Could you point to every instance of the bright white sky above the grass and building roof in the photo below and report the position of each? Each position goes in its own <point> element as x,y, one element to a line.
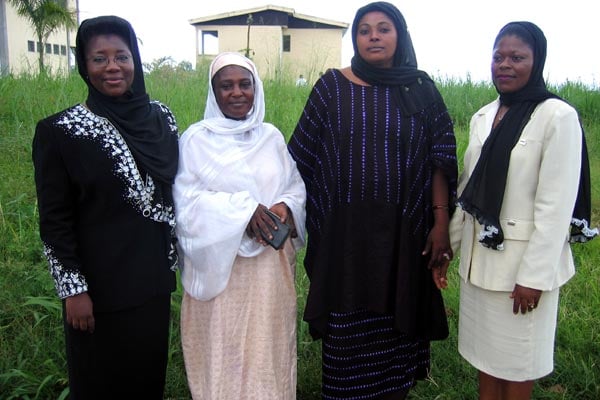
<point>452,38</point>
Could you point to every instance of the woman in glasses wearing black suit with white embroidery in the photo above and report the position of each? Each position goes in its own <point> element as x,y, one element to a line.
<point>103,173</point>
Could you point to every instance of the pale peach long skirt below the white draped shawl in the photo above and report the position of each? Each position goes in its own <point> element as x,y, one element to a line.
<point>242,344</point>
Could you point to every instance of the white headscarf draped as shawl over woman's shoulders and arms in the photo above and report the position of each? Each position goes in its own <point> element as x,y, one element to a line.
<point>226,168</point>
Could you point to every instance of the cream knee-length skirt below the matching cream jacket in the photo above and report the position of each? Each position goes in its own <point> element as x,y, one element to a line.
<point>504,345</point>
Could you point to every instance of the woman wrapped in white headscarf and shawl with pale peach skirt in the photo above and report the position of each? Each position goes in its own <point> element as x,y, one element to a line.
<point>238,316</point>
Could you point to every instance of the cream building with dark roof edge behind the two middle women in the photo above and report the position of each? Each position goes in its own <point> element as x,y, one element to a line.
<point>282,43</point>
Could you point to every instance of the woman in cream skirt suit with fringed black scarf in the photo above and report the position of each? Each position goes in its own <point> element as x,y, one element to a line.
<point>524,194</point>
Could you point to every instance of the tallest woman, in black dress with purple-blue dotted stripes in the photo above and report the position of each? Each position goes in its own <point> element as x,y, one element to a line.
<point>375,146</point>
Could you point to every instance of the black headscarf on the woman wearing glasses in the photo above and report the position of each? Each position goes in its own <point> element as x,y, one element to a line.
<point>142,126</point>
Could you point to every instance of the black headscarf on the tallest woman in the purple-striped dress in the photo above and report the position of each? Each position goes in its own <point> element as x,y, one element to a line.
<point>413,89</point>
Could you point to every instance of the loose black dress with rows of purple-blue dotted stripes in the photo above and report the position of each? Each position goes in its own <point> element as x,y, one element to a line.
<point>368,172</point>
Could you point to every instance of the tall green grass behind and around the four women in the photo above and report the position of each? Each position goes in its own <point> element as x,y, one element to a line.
<point>32,361</point>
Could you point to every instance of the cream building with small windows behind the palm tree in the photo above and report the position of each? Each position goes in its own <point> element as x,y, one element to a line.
<point>19,45</point>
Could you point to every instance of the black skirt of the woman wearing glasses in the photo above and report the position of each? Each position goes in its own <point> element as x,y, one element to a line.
<point>125,357</point>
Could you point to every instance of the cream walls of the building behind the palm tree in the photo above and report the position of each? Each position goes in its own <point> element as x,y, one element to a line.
<point>21,60</point>
